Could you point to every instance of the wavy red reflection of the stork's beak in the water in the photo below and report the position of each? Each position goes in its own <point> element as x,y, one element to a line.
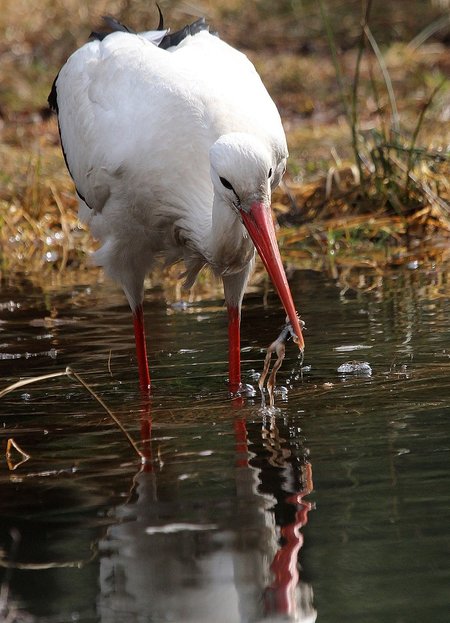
<point>280,595</point>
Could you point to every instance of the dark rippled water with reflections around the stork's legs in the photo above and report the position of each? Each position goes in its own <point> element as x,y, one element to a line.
<point>224,525</point>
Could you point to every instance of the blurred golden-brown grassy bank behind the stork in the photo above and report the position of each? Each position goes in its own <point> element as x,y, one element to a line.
<point>366,111</point>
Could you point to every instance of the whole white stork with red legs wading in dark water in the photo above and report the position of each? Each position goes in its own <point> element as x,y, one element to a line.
<point>174,146</point>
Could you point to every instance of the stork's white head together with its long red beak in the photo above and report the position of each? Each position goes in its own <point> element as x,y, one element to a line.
<point>244,172</point>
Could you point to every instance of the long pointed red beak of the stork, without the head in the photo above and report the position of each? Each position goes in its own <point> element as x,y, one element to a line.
<point>259,224</point>
